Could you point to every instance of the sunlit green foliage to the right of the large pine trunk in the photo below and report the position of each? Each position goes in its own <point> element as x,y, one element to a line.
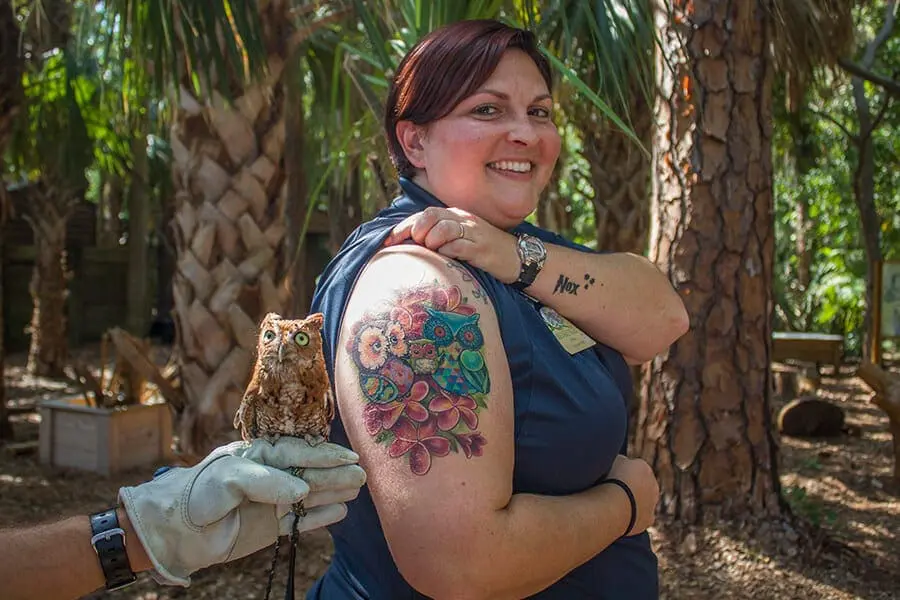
<point>815,158</point>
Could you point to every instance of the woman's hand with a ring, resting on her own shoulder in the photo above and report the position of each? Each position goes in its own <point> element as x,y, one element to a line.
<point>461,235</point>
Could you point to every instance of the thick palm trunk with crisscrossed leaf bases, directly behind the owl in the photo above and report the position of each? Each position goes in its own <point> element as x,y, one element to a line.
<point>228,175</point>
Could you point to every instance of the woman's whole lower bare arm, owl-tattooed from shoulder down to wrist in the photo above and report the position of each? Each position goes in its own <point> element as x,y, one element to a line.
<point>453,525</point>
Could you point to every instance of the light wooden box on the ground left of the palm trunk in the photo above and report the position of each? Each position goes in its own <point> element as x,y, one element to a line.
<point>104,440</point>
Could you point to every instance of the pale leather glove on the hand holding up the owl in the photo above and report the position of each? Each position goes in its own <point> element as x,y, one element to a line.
<point>237,501</point>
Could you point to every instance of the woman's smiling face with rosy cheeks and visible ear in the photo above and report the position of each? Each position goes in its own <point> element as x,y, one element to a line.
<point>494,153</point>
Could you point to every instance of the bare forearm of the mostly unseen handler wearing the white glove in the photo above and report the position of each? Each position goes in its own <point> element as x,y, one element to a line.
<point>57,561</point>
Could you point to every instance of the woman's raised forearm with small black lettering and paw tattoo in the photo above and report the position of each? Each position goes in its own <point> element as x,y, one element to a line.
<point>619,299</point>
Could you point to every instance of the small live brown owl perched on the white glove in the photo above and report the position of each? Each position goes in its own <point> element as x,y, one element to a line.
<point>289,393</point>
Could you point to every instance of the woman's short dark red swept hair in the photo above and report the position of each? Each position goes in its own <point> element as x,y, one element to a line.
<point>444,68</point>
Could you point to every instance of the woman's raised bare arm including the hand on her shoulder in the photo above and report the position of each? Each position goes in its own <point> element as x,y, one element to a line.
<point>619,299</point>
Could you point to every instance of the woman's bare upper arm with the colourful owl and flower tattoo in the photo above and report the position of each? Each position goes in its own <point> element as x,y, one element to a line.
<point>421,375</point>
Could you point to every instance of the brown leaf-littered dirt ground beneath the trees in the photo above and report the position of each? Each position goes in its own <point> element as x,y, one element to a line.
<point>843,541</point>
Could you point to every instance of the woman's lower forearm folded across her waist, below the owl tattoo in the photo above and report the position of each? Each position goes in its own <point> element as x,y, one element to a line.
<point>523,548</point>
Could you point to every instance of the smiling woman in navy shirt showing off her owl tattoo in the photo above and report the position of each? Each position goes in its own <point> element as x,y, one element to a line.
<point>468,380</point>
